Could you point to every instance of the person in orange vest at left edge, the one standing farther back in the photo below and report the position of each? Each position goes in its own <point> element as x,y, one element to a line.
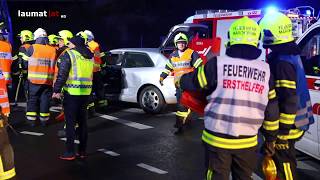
<point>6,60</point>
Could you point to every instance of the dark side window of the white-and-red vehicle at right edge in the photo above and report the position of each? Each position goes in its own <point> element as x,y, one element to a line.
<point>310,54</point>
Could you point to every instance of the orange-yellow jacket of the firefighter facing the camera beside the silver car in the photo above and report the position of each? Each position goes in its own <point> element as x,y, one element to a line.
<point>181,65</point>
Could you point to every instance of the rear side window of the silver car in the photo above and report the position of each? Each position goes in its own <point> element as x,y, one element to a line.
<point>134,60</point>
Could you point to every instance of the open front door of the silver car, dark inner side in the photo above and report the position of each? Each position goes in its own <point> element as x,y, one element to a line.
<point>112,73</point>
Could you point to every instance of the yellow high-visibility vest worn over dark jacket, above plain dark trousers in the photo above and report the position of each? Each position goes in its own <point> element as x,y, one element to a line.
<point>79,81</point>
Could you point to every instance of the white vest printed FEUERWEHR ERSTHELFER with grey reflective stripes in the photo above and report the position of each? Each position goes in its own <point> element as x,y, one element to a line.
<point>237,106</point>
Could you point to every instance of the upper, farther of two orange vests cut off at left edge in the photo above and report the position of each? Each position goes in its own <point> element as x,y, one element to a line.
<point>6,60</point>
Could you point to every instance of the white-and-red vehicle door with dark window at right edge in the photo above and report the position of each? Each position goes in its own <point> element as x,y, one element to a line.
<point>310,57</point>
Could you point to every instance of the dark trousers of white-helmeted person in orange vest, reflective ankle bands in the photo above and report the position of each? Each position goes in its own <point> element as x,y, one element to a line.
<point>38,99</point>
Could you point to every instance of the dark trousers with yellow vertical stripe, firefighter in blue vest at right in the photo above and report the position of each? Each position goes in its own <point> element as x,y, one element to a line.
<point>285,160</point>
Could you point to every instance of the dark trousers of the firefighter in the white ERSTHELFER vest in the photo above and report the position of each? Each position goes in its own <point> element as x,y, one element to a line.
<point>220,162</point>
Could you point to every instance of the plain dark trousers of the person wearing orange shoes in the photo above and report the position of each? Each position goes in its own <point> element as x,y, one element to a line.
<point>75,111</point>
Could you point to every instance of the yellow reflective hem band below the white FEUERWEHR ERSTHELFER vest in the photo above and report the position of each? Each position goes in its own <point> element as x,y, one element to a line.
<point>229,143</point>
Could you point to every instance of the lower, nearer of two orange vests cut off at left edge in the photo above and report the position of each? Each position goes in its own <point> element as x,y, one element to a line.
<point>4,101</point>
